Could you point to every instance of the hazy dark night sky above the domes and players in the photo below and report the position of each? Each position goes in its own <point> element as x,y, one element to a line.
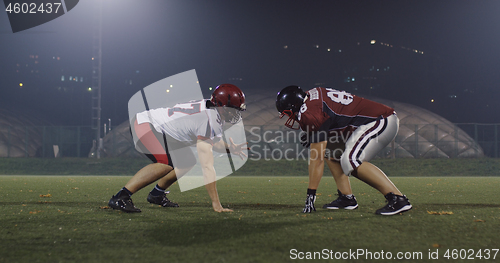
<point>261,46</point>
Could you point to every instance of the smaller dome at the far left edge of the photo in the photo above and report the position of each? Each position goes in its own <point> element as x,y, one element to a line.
<point>20,134</point>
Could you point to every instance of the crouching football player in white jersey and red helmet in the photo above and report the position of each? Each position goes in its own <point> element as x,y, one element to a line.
<point>203,129</point>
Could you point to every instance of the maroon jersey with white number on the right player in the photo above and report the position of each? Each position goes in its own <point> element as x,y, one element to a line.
<point>328,109</point>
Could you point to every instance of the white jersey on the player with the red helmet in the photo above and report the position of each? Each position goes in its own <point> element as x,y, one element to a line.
<point>185,122</point>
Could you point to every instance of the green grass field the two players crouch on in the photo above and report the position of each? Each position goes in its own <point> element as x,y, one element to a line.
<point>64,219</point>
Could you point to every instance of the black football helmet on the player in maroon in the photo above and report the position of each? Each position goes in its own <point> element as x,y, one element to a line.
<point>288,102</point>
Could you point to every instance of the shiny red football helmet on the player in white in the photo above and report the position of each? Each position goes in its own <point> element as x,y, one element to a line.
<point>230,101</point>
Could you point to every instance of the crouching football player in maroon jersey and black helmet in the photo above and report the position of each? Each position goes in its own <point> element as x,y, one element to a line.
<point>362,127</point>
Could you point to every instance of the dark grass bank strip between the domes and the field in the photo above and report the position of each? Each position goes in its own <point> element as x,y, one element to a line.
<point>123,166</point>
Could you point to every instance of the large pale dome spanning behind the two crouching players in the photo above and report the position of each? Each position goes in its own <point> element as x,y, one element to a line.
<point>422,134</point>
